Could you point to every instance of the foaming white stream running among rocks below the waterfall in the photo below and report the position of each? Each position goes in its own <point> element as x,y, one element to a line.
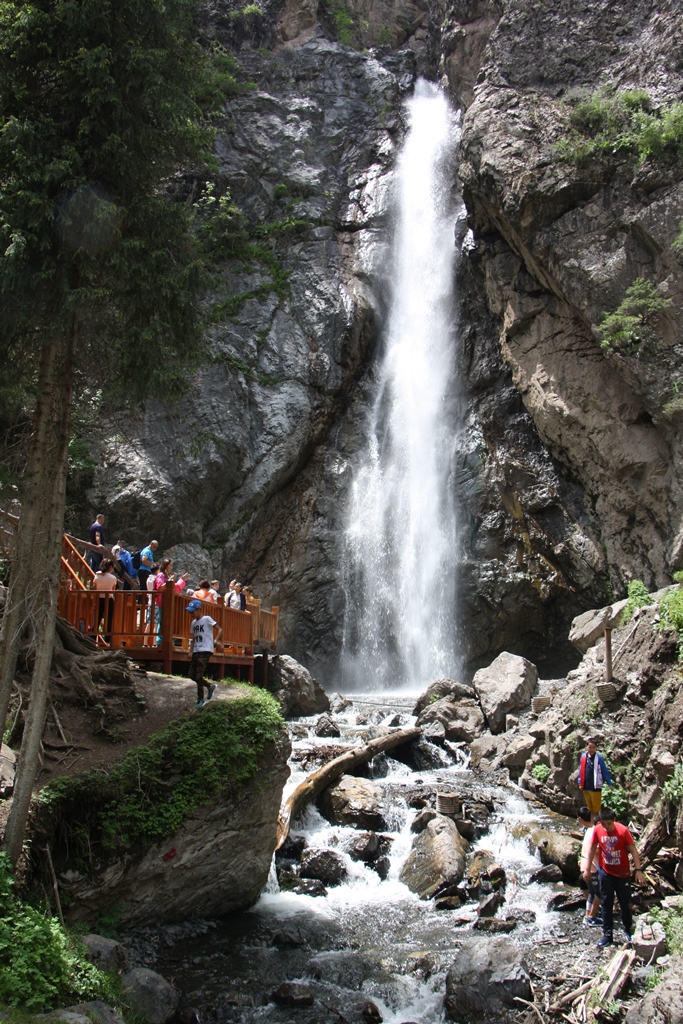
<point>370,938</point>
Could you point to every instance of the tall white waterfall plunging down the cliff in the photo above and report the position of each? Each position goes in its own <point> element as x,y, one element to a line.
<point>400,560</point>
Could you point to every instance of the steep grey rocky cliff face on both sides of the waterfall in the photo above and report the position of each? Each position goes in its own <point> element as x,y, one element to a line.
<point>569,464</point>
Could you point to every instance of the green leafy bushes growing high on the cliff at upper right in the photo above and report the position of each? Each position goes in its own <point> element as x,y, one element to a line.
<point>623,126</point>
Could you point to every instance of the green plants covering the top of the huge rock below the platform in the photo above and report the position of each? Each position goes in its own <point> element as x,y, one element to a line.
<point>146,797</point>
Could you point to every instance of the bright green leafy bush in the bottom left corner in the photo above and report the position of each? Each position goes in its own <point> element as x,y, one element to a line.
<point>41,965</point>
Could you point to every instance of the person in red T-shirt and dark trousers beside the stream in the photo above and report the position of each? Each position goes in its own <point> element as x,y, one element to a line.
<point>614,843</point>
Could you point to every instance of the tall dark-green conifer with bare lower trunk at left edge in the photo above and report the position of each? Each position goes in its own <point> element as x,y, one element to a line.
<point>101,103</point>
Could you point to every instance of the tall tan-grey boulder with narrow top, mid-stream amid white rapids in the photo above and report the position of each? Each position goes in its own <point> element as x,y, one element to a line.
<point>438,859</point>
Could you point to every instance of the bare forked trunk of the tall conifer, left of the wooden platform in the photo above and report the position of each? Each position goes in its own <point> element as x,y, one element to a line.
<point>38,565</point>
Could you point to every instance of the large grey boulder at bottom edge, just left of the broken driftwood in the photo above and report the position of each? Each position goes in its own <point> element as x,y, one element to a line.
<point>485,979</point>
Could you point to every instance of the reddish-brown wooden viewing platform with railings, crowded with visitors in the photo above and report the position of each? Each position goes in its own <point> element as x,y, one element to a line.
<point>120,620</point>
